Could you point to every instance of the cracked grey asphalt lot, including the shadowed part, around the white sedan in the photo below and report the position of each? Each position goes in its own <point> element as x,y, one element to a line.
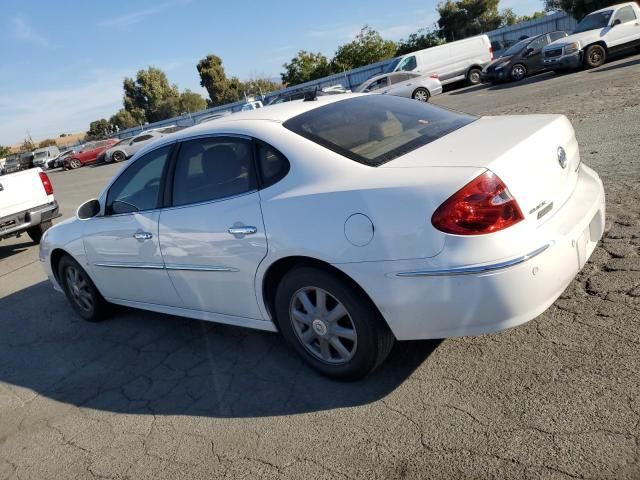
<point>153,396</point>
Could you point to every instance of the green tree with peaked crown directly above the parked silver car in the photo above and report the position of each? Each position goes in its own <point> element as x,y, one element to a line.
<point>368,47</point>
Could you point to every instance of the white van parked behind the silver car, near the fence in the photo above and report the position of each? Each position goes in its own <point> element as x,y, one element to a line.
<point>452,62</point>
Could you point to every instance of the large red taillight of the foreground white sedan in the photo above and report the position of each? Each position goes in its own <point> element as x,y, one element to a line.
<point>483,205</point>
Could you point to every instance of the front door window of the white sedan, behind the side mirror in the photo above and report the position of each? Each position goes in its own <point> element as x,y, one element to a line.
<point>138,188</point>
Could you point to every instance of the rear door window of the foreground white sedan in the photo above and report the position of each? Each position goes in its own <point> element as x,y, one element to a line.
<point>213,168</point>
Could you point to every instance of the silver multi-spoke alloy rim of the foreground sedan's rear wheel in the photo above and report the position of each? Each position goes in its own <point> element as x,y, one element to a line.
<point>323,325</point>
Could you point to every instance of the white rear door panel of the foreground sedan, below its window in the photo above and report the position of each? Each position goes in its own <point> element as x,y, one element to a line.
<point>212,269</point>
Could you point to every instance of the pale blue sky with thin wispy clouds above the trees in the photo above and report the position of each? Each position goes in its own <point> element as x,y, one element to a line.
<point>63,62</point>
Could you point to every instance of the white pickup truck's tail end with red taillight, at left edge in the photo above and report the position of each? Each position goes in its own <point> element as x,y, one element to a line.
<point>26,204</point>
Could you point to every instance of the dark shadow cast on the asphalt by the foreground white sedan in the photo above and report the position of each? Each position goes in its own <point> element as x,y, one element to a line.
<point>148,363</point>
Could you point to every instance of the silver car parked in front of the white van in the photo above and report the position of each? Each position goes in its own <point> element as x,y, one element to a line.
<point>404,84</point>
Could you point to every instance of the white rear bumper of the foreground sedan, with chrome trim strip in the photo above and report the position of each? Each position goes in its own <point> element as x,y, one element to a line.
<point>449,301</point>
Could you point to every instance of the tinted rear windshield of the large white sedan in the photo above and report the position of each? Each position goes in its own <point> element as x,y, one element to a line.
<point>374,129</point>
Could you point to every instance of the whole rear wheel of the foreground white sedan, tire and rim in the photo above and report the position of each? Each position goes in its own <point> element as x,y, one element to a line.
<point>359,328</point>
